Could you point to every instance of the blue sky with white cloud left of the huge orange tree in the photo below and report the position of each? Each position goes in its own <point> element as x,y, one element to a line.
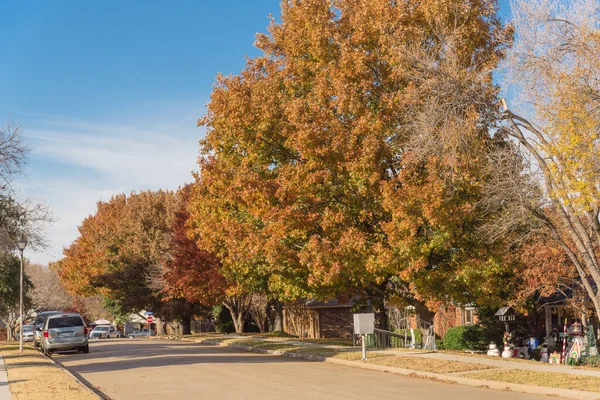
<point>108,93</point>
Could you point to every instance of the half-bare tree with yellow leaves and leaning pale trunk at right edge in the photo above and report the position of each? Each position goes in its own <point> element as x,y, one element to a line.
<point>547,177</point>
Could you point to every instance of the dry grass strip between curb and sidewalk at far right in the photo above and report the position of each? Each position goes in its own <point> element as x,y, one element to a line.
<point>547,379</point>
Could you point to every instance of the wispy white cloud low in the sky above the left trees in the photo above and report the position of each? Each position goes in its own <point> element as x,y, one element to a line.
<point>93,161</point>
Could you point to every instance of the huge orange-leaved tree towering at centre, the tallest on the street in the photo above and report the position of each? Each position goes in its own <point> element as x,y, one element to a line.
<point>347,158</point>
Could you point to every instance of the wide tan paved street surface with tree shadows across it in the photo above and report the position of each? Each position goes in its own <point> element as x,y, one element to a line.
<point>160,369</point>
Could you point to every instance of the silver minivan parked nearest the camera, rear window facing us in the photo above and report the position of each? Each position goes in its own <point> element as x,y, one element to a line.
<point>64,332</point>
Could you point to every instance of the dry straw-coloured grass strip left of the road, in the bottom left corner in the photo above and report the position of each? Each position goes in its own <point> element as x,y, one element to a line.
<point>31,376</point>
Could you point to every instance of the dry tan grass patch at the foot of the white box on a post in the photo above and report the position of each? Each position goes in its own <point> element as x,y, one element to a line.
<point>429,365</point>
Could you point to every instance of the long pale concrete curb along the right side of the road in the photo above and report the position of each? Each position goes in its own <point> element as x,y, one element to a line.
<point>478,383</point>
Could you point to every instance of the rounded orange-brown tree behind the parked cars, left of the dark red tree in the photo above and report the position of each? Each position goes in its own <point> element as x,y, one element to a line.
<point>119,250</point>
